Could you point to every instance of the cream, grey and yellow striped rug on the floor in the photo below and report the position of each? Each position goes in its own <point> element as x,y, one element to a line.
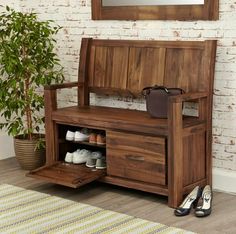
<point>26,211</point>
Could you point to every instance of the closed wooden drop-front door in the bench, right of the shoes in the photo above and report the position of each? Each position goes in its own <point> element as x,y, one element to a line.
<point>136,157</point>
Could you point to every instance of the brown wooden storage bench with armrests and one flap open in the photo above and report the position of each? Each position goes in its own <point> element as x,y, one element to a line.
<point>163,156</point>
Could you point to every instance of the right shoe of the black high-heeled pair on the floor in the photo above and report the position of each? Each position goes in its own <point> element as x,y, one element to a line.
<point>205,208</point>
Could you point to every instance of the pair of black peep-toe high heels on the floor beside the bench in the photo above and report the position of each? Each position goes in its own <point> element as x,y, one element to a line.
<point>192,199</point>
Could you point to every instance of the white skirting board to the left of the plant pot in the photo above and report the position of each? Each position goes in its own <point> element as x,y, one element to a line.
<point>6,147</point>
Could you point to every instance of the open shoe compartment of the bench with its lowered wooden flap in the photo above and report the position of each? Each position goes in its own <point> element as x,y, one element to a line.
<point>69,174</point>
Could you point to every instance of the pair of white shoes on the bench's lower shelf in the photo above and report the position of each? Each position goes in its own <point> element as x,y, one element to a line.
<point>78,157</point>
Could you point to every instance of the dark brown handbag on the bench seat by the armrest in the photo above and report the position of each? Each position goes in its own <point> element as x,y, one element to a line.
<point>157,99</point>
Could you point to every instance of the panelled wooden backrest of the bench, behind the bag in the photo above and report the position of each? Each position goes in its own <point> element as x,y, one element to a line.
<point>125,67</point>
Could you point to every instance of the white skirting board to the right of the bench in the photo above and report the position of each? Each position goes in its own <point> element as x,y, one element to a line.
<point>224,180</point>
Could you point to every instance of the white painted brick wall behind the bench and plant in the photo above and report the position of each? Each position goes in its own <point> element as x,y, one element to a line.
<point>75,18</point>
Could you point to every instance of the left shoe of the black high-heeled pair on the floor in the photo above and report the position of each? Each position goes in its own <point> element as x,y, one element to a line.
<point>189,202</point>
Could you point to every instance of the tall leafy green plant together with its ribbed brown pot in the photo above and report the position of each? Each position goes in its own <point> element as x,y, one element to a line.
<point>27,63</point>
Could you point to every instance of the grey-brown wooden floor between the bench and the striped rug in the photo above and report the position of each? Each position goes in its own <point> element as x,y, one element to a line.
<point>140,204</point>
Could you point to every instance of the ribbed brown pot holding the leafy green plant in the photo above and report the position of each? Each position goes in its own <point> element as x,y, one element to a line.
<point>27,156</point>
